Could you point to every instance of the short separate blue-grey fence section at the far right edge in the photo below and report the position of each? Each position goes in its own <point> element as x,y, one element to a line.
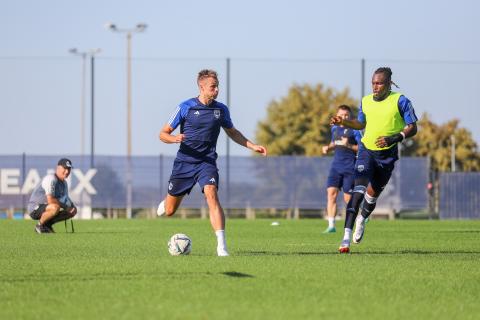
<point>459,196</point>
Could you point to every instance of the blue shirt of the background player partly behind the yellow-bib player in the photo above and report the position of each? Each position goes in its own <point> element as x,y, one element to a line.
<point>344,158</point>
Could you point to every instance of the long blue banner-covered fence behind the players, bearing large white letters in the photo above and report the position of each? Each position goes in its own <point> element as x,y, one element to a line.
<point>253,182</point>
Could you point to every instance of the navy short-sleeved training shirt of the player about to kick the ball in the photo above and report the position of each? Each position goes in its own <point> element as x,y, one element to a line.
<point>201,126</point>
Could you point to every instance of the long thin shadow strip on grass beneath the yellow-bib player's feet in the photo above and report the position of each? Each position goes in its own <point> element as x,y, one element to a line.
<point>398,252</point>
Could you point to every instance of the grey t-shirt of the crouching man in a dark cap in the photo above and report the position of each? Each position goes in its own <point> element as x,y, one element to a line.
<point>50,185</point>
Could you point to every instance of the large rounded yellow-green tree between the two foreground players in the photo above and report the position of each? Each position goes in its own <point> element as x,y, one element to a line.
<point>298,124</point>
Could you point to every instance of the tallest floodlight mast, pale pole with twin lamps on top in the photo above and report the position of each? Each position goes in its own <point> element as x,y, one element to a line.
<point>140,27</point>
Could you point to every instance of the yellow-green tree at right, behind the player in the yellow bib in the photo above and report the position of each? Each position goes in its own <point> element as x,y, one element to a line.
<point>435,141</point>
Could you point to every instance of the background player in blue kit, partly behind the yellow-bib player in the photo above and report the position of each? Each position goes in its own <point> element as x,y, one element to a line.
<point>341,176</point>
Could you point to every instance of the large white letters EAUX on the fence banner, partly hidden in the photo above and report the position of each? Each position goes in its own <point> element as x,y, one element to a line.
<point>10,181</point>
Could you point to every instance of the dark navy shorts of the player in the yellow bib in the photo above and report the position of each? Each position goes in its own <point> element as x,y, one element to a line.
<point>376,166</point>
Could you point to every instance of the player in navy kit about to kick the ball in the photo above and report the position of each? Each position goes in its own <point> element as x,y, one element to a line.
<point>200,120</point>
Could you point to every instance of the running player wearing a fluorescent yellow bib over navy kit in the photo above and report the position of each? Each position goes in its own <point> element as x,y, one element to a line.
<point>388,118</point>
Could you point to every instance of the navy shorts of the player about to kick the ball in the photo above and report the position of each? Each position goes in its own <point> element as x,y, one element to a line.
<point>185,175</point>
